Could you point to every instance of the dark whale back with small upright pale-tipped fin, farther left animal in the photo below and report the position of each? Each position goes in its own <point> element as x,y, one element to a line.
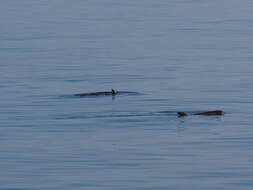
<point>112,93</point>
